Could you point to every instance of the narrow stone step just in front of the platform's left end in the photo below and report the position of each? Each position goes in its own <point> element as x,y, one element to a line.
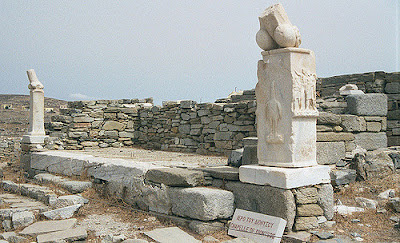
<point>62,182</point>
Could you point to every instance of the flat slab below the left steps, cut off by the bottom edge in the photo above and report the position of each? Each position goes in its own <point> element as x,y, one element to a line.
<point>66,235</point>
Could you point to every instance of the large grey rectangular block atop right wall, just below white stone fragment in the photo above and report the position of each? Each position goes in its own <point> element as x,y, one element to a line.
<point>367,104</point>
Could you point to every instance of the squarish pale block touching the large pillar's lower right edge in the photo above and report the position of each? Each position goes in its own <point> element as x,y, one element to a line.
<point>330,152</point>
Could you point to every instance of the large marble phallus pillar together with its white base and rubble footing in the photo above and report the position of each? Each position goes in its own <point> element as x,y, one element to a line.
<point>286,126</point>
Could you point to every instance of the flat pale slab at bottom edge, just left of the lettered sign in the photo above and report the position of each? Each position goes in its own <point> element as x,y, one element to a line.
<point>169,235</point>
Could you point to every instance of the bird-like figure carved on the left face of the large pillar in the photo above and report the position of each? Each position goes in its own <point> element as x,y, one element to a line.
<point>274,115</point>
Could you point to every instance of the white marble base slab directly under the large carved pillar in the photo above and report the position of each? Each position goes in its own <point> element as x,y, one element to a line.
<point>285,178</point>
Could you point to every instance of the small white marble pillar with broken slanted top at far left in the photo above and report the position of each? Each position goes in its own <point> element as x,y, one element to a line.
<point>36,132</point>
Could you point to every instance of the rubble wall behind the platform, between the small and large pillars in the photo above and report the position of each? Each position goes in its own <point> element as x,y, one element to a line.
<point>177,125</point>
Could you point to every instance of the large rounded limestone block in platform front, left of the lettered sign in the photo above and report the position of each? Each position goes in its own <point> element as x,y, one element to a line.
<point>201,203</point>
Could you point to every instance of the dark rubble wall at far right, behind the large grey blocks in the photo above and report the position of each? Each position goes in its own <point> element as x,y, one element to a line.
<point>373,82</point>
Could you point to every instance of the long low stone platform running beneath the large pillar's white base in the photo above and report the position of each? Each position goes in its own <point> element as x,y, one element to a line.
<point>153,180</point>
